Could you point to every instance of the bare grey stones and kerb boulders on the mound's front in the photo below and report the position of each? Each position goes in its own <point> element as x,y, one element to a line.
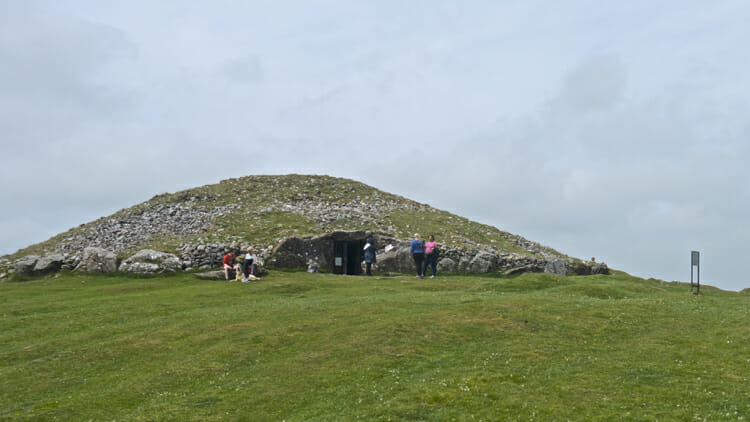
<point>129,229</point>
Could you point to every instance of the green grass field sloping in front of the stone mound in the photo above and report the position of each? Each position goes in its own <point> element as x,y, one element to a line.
<point>301,347</point>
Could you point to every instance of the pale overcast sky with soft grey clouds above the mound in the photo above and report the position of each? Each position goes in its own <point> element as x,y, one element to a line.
<point>619,130</point>
